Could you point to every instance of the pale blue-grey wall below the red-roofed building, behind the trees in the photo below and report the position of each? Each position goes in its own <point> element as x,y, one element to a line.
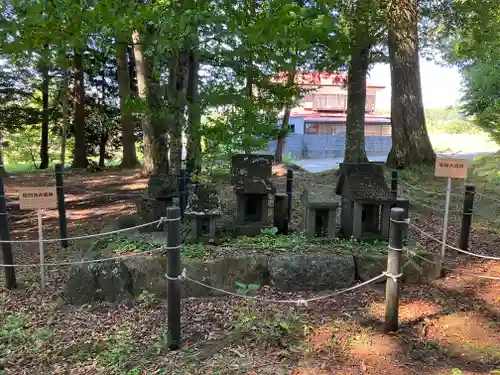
<point>319,146</point>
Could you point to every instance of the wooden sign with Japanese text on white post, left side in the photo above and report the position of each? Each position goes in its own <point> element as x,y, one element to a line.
<point>38,198</point>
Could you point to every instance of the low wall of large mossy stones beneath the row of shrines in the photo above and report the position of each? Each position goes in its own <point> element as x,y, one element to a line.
<point>288,272</point>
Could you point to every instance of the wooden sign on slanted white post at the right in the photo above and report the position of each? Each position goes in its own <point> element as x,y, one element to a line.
<point>449,168</point>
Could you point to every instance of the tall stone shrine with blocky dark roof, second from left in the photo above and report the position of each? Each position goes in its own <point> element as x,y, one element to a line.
<point>251,177</point>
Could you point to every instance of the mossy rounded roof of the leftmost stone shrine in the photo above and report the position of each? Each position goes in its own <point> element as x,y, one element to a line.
<point>203,200</point>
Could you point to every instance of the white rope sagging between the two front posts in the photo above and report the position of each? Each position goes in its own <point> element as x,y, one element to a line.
<point>299,302</point>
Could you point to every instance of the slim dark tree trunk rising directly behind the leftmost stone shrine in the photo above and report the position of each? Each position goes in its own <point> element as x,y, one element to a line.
<point>193,162</point>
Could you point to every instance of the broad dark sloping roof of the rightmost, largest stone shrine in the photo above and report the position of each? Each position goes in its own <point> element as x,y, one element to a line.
<point>363,182</point>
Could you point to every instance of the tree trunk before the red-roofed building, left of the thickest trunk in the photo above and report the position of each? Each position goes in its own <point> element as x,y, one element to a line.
<point>356,100</point>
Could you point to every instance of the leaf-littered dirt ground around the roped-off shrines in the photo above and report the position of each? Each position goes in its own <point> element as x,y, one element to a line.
<point>449,324</point>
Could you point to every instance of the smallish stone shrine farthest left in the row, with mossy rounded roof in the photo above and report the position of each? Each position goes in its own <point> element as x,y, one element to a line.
<point>203,208</point>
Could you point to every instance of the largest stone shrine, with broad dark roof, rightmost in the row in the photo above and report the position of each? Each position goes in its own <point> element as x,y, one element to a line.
<point>366,201</point>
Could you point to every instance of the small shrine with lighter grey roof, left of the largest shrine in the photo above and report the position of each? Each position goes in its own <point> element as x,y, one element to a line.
<point>320,207</point>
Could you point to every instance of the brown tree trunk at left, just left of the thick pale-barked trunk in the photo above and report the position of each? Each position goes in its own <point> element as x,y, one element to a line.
<point>129,157</point>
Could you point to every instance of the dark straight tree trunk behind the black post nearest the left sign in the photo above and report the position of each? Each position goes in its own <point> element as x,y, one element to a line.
<point>80,156</point>
